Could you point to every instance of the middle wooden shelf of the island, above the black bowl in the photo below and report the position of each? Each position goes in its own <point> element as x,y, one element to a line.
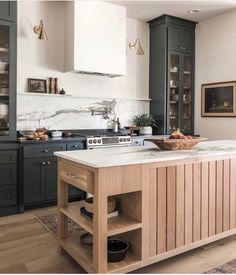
<point>116,225</point>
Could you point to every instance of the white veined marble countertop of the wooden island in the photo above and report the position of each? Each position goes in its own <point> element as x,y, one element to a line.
<point>116,156</point>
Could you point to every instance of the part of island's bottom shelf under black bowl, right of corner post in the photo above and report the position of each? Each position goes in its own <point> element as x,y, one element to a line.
<point>130,261</point>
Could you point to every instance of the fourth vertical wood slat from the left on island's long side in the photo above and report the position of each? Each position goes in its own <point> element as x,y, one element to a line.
<point>179,205</point>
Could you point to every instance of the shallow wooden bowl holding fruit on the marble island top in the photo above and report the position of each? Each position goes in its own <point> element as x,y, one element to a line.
<point>175,144</point>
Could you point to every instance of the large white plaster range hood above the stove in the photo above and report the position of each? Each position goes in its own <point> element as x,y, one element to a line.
<point>95,38</point>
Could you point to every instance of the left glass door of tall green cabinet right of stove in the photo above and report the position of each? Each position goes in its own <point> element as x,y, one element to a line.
<point>173,94</point>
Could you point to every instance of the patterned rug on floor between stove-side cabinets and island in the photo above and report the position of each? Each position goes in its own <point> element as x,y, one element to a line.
<point>50,223</point>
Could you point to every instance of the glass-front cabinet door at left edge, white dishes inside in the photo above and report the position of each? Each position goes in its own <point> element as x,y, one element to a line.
<point>7,81</point>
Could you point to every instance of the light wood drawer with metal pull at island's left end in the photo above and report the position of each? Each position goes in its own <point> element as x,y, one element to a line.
<point>78,177</point>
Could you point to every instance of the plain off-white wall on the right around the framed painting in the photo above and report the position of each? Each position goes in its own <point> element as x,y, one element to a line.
<point>215,62</point>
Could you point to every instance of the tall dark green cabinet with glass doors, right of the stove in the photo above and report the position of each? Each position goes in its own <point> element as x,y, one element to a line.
<point>172,74</point>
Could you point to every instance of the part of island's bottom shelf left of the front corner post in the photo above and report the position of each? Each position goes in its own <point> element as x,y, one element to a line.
<point>83,254</point>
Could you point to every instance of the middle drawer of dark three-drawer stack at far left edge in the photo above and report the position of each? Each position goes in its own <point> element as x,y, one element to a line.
<point>7,174</point>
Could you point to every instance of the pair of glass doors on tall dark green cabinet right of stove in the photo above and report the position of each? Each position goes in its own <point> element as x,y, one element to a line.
<point>180,93</point>
